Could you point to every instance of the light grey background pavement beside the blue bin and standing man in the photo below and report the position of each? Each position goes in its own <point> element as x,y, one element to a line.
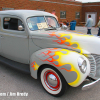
<point>83,30</point>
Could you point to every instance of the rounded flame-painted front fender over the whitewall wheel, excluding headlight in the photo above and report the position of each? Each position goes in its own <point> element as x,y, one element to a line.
<point>65,61</point>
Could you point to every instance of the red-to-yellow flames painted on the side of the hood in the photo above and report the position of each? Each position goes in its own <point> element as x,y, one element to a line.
<point>66,39</point>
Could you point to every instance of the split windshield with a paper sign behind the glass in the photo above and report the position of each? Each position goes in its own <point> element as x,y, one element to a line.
<point>40,22</point>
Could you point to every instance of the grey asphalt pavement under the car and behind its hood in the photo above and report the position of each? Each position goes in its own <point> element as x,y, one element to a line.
<point>16,85</point>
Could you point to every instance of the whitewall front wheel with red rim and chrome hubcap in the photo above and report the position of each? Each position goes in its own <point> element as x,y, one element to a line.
<point>53,81</point>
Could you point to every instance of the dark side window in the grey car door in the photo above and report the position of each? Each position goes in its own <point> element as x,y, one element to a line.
<point>13,24</point>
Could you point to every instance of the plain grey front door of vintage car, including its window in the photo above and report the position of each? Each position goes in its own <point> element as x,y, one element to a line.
<point>14,41</point>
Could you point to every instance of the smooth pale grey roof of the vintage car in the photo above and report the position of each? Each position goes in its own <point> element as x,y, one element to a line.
<point>25,13</point>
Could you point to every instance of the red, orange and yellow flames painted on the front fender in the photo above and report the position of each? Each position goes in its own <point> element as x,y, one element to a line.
<point>60,58</point>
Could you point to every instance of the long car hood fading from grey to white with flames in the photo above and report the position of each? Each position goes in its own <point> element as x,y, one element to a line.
<point>67,39</point>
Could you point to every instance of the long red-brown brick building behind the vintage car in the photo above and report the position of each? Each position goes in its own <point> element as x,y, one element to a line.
<point>65,9</point>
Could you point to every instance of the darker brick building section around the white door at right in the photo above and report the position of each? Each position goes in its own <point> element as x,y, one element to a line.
<point>93,9</point>
